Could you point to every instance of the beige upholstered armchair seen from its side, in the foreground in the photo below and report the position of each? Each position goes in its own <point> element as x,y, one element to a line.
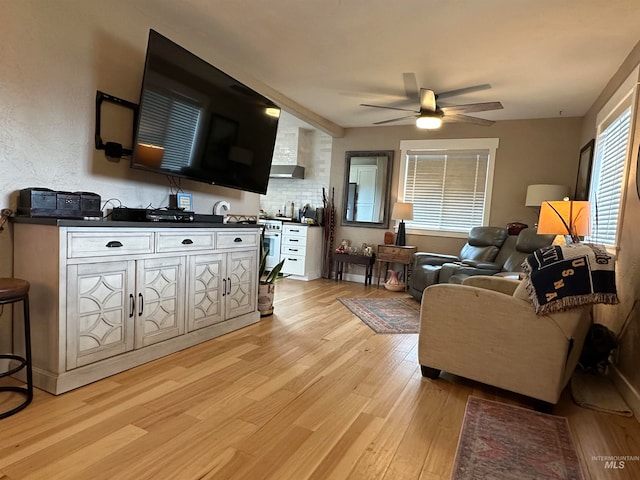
<point>487,330</point>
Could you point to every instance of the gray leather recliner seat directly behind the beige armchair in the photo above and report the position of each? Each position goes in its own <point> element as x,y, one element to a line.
<point>508,261</point>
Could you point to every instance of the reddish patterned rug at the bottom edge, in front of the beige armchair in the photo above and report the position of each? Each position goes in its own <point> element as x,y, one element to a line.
<point>508,442</point>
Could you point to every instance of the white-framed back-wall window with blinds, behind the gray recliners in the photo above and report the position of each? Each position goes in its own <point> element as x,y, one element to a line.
<point>449,184</point>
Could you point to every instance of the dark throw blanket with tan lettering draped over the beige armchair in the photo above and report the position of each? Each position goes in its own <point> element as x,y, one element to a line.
<point>562,277</point>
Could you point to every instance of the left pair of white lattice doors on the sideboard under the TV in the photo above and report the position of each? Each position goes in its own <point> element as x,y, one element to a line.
<point>113,307</point>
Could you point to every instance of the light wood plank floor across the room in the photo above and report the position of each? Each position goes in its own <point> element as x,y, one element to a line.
<point>309,393</point>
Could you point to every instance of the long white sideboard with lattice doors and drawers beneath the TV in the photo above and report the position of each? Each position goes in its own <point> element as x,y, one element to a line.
<point>119,297</point>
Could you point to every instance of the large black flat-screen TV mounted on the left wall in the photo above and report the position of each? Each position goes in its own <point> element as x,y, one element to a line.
<point>197,122</point>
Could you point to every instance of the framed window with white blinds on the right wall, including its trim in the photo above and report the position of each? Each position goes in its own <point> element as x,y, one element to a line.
<point>612,151</point>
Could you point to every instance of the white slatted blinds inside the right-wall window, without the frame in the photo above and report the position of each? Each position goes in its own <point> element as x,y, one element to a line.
<point>607,179</point>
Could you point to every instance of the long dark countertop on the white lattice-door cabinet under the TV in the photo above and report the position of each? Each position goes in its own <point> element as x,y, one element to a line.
<point>70,222</point>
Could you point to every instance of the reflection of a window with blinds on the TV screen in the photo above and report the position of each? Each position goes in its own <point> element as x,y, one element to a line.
<point>172,123</point>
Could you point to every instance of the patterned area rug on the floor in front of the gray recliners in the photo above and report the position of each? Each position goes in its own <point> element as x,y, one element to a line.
<point>386,315</point>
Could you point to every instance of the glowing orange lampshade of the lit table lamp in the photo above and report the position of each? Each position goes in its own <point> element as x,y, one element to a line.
<point>566,217</point>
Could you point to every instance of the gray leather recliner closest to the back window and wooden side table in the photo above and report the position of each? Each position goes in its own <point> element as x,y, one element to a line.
<point>482,244</point>
